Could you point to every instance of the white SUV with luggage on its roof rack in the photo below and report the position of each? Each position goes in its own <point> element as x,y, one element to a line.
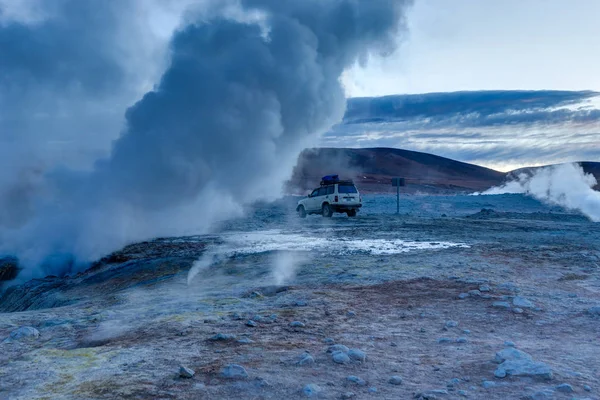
<point>332,196</point>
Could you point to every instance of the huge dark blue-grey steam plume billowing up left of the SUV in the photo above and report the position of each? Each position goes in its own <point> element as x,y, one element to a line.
<point>249,85</point>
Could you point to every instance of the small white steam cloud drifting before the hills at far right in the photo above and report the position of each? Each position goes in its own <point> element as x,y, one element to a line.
<point>566,185</point>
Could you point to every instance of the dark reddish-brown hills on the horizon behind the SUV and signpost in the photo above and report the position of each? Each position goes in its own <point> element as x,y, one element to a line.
<point>373,168</point>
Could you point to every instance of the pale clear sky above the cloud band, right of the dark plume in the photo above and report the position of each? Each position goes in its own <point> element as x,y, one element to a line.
<point>486,45</point>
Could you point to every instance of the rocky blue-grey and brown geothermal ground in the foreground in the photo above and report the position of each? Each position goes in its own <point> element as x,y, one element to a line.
<point>443,301</point>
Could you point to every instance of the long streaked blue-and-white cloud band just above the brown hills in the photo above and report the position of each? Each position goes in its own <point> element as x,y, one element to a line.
<point>498,129</point>
